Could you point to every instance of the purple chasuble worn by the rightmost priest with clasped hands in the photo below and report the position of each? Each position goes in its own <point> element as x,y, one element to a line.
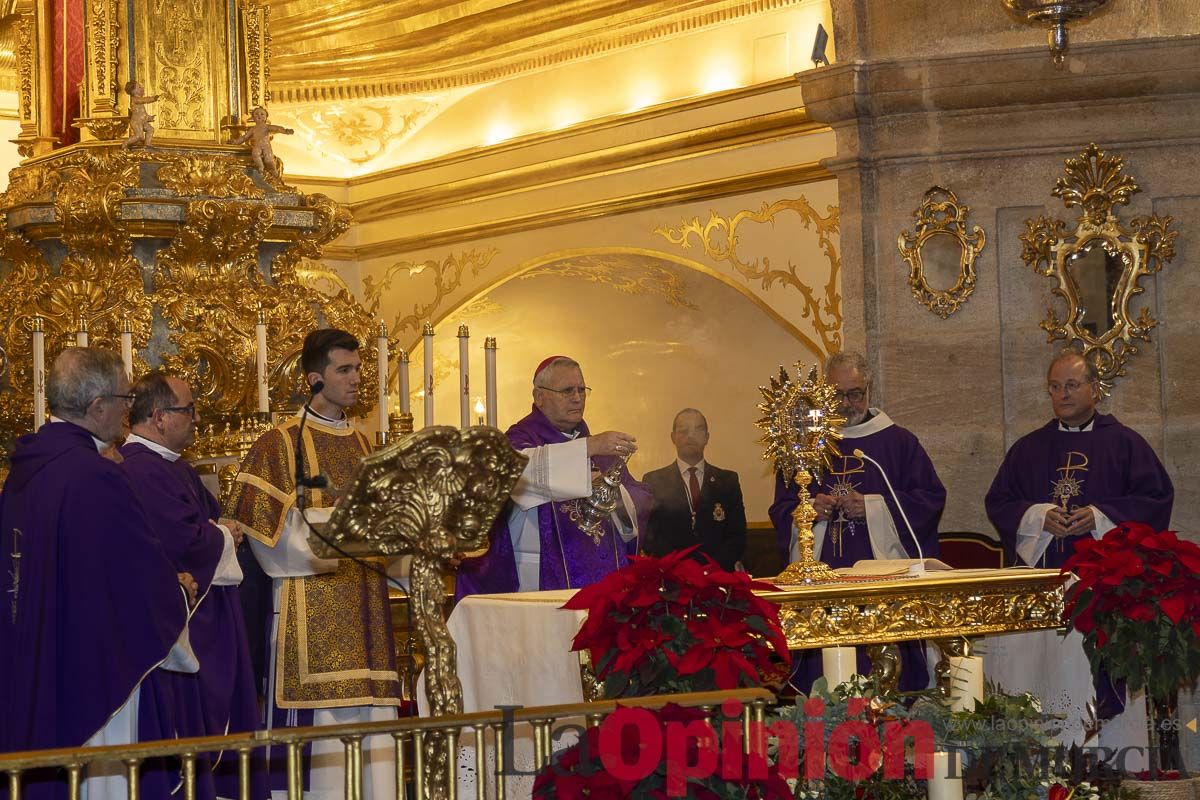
<point>1109,467</point>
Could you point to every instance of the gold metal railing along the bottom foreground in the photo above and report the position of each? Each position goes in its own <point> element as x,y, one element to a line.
<point>411,735</point>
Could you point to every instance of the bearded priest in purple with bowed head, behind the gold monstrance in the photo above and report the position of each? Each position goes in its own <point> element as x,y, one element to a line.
<point>857,516</point>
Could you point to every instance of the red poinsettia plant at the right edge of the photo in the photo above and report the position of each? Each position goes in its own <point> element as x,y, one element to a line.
<point>1138,605</point>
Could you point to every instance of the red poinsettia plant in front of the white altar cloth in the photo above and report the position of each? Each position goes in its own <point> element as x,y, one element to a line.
<point>676,624</point>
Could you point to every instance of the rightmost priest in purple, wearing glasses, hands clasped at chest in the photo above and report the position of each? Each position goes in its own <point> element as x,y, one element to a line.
<point>1076,478</point>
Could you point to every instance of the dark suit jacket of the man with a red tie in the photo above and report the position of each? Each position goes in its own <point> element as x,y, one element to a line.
<point>721,527</point>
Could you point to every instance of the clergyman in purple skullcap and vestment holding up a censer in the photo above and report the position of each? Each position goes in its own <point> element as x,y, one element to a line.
<point>536,545</point>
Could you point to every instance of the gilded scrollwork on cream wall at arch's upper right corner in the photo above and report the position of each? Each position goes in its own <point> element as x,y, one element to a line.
<point>719,238</point>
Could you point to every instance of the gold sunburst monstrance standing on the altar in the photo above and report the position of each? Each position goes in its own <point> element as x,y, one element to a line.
<point>801,435</point>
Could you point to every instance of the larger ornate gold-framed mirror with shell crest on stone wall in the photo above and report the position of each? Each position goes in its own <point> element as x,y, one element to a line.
<point>1099,266</point>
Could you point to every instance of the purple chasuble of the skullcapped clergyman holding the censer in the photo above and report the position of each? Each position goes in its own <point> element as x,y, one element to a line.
<point>563,545</point>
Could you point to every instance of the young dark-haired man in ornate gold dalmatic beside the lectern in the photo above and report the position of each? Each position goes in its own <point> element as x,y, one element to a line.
<point>333,654</point>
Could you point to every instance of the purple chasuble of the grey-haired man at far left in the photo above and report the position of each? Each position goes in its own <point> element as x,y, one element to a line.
<point>95,604</point>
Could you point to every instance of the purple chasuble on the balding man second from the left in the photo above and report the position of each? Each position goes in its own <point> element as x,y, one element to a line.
<point>221,697</point>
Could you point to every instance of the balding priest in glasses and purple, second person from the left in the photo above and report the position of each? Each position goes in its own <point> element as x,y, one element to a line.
<point>221,697</point>
